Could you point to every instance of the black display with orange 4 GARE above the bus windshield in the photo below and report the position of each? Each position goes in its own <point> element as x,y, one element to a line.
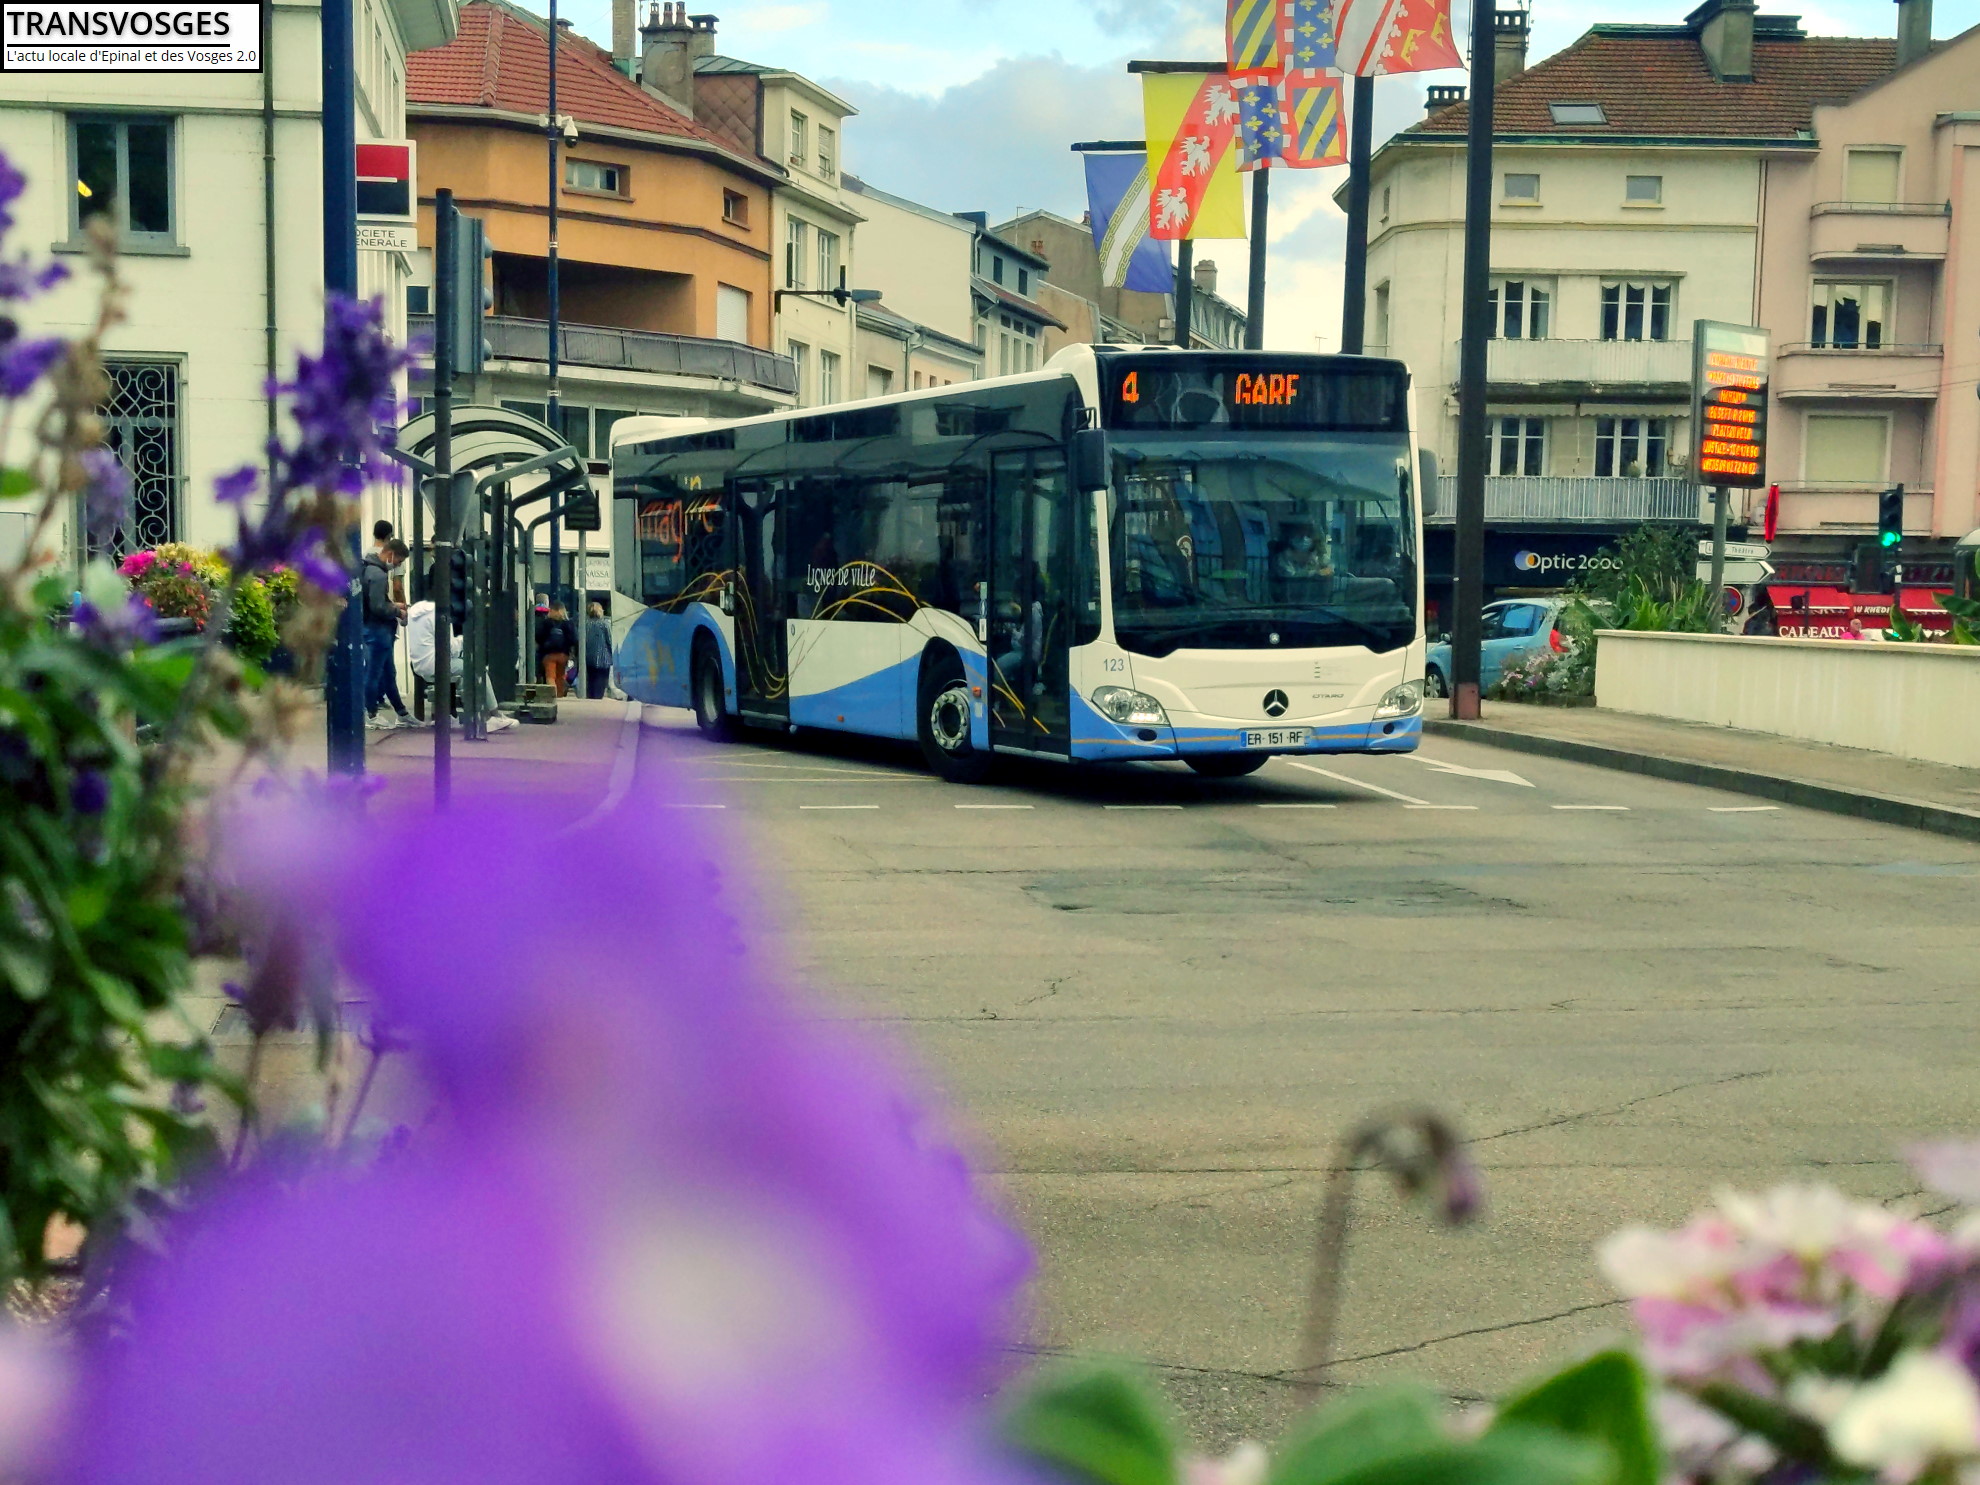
<point>1250,393</point>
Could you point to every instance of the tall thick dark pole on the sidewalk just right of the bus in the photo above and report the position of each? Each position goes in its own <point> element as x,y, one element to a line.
<point>1470,536</point>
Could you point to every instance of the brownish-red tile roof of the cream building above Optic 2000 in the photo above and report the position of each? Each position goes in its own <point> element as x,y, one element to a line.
<point>1652,80</point>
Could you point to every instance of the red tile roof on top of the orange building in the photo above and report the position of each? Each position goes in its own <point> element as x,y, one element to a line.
<point>502,60</point>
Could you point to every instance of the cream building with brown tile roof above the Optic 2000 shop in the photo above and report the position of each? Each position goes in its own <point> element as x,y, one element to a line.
<point>1638,185</point>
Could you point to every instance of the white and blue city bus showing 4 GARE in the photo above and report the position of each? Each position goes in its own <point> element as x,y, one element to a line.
<point>1132,553</point>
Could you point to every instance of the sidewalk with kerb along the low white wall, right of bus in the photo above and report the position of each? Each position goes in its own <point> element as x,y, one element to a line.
<point>1815,775</point>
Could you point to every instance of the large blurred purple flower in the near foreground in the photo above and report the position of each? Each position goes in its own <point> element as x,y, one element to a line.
<point>666,1231</point>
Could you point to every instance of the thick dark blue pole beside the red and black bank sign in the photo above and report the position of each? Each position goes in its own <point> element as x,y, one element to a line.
<point>344,670</point>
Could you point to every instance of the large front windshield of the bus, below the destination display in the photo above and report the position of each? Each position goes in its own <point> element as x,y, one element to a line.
<point>1258,542</point>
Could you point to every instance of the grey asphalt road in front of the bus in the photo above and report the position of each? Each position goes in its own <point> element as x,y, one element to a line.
<point>1161,999</point>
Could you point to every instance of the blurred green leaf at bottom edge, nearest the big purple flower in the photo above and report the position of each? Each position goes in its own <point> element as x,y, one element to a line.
<point>1100,1425</point>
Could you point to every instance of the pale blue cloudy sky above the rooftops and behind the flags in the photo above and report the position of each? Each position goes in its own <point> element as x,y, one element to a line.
<point>969,106</point>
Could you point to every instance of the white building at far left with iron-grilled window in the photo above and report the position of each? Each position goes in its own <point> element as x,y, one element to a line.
<point>219,185</point>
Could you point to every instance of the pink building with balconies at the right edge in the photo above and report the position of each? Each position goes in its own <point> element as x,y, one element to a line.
<point>1870,282</point>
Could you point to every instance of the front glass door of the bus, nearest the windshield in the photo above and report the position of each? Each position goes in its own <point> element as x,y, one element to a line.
<point>1031,601</point>
